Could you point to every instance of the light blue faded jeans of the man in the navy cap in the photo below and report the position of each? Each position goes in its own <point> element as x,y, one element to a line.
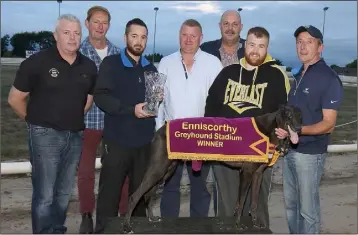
<point>301,179</point>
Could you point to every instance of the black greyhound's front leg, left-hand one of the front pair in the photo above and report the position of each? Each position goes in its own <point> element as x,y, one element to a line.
<point>245,181</point>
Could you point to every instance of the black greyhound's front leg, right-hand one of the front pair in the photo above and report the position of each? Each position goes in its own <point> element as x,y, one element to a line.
<point>255,189</point>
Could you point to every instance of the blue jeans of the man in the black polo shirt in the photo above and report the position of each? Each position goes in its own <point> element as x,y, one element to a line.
<point>54,156</point>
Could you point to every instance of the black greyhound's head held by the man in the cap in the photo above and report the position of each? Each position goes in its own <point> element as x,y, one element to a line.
<point>289,118</point>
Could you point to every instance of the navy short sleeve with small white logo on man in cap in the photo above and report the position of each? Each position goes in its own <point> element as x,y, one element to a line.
<point>333,95</point>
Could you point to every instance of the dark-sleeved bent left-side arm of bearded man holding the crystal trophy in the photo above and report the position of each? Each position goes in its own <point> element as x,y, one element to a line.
<point>103,92</point>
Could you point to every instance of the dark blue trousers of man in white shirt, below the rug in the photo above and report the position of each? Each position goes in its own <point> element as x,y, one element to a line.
<point>199,195</point>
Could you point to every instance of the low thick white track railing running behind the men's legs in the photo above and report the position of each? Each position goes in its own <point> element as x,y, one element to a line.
<point>10,168</point>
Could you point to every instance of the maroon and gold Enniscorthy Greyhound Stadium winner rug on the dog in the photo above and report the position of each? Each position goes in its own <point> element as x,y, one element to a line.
<point>218,139</point>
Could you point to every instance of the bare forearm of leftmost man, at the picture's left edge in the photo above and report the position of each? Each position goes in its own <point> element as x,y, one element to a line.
<point>18,101</point>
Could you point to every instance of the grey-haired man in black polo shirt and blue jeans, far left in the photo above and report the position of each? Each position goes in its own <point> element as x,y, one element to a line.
<point>59,82</point>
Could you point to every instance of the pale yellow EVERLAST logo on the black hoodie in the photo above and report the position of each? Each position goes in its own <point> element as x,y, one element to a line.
<point>241,97</point>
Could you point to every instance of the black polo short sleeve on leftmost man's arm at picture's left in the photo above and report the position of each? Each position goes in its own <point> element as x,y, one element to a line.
<point>24,76</point>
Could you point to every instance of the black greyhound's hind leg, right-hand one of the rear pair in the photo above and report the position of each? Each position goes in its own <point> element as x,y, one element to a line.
<point>149,196</point>
